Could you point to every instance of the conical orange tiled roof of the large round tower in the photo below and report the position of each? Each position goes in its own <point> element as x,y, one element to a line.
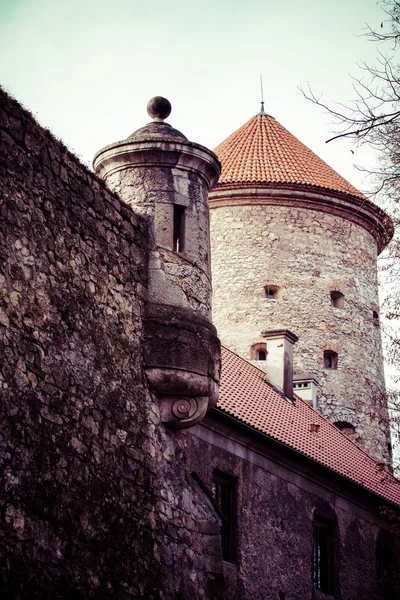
<point>262,151</point>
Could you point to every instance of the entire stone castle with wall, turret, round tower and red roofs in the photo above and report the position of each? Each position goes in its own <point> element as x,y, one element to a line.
<point>132,467</point>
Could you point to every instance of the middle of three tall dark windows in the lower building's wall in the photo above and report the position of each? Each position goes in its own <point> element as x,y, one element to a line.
<point>323,556</point>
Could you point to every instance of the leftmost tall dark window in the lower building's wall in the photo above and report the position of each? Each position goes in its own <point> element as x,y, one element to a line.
<point>223,491</point>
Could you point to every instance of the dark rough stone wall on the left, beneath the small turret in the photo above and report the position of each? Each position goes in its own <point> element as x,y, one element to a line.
<point>96,499</point>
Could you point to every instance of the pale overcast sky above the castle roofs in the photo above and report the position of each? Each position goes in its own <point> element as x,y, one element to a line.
<point>87,68</point>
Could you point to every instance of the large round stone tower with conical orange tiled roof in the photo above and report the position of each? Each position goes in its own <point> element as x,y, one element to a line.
<point>294,247</point>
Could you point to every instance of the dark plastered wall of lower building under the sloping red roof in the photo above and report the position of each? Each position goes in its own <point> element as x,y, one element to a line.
<point>275,505</point>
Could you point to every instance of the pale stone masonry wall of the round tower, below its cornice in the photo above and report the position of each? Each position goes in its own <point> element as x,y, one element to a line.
<point>307,254</point>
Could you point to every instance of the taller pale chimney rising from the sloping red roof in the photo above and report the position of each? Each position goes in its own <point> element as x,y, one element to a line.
<point>280,359</point>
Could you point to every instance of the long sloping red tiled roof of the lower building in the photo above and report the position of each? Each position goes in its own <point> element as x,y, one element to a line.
<point>246,395</point>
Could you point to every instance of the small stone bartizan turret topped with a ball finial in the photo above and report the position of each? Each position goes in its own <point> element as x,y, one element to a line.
<point>162,175</point>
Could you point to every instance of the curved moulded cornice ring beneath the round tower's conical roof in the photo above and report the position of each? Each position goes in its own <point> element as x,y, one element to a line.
<point>355,209</point>
